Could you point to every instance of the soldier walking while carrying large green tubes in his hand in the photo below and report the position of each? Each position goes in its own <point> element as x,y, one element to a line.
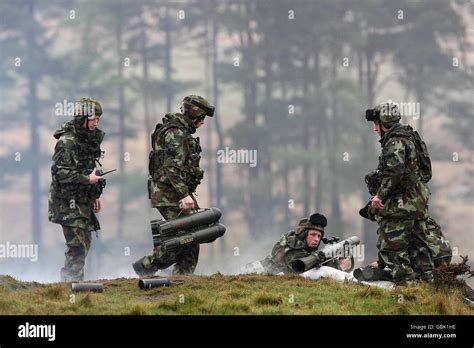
<point>174,176</point>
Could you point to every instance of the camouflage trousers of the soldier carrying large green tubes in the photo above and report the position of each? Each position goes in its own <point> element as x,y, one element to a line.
<point>185,260</point>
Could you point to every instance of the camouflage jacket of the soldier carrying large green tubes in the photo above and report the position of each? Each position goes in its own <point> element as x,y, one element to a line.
<point>174,161</point>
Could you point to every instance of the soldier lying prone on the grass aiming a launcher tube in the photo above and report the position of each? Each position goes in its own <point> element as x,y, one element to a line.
<point>298,244</point>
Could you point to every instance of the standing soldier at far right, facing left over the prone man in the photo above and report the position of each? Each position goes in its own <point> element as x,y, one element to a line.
<point>408,238</point>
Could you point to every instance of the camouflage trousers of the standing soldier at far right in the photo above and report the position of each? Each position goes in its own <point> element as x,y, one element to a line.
<point>404,247</point>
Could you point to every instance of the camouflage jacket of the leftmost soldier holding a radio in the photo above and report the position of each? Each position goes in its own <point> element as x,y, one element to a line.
<point>71,197</point>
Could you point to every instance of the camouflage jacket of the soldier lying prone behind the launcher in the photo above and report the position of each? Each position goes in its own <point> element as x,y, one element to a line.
<point>285,251</point>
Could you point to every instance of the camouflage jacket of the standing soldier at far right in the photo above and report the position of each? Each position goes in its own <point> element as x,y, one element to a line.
<point>403,193</point>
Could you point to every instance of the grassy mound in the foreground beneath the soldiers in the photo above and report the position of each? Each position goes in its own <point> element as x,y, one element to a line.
<point>218,294</point>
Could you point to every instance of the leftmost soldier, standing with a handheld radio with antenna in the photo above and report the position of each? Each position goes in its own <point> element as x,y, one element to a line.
<point>75,187</point>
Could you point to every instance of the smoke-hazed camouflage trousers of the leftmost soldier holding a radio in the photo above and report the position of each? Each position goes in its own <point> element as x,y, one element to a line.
<point>78,243</point>
